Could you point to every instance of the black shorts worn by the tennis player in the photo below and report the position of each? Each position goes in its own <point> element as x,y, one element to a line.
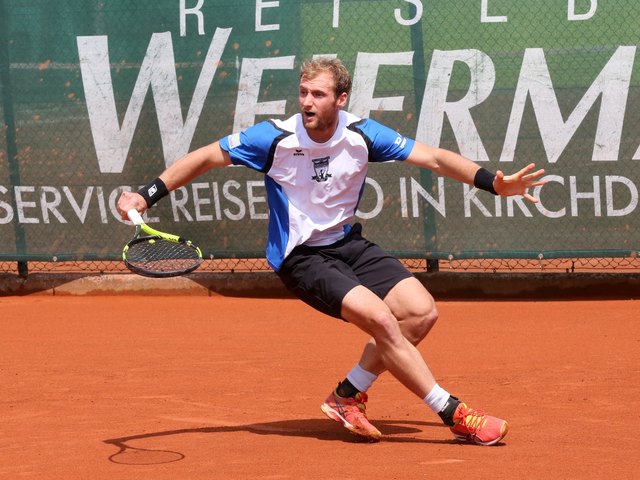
<point>322,276</point>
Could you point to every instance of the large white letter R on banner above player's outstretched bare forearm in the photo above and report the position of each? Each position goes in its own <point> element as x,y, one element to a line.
<point>435,105</point>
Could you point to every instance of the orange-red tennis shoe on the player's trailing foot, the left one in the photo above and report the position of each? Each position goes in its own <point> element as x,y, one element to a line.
<point>351,413</point>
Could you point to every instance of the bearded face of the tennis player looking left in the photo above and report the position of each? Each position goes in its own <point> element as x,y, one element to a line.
<point>319,106</point>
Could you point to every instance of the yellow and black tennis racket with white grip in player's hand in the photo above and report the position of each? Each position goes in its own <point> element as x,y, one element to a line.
<point>157,254</point>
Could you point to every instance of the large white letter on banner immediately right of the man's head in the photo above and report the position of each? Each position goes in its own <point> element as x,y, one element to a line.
<point>364,82</point>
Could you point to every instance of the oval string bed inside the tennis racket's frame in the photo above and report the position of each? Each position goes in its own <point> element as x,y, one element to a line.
<point>159,255</point>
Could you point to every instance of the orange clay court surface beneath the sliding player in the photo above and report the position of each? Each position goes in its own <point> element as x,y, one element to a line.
<point>126,387</point>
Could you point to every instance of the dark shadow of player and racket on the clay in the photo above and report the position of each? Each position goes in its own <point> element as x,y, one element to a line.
<point>393,430</point>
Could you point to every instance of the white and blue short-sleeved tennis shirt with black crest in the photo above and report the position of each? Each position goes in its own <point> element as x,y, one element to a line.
<point>313,189</point>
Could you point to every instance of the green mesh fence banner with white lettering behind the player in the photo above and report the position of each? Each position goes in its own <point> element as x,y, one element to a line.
<point>100,96</point>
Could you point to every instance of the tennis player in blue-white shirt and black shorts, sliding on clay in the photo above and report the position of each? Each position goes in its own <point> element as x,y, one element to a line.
<point>315,164</point>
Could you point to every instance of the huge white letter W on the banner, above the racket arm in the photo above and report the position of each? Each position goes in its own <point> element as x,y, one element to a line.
<point>158,70</point>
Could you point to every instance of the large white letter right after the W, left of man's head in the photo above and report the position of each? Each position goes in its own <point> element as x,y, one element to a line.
<point>247,105</point>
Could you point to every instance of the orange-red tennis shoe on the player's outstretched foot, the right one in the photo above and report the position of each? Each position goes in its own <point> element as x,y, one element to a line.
<point>473,426</point>
